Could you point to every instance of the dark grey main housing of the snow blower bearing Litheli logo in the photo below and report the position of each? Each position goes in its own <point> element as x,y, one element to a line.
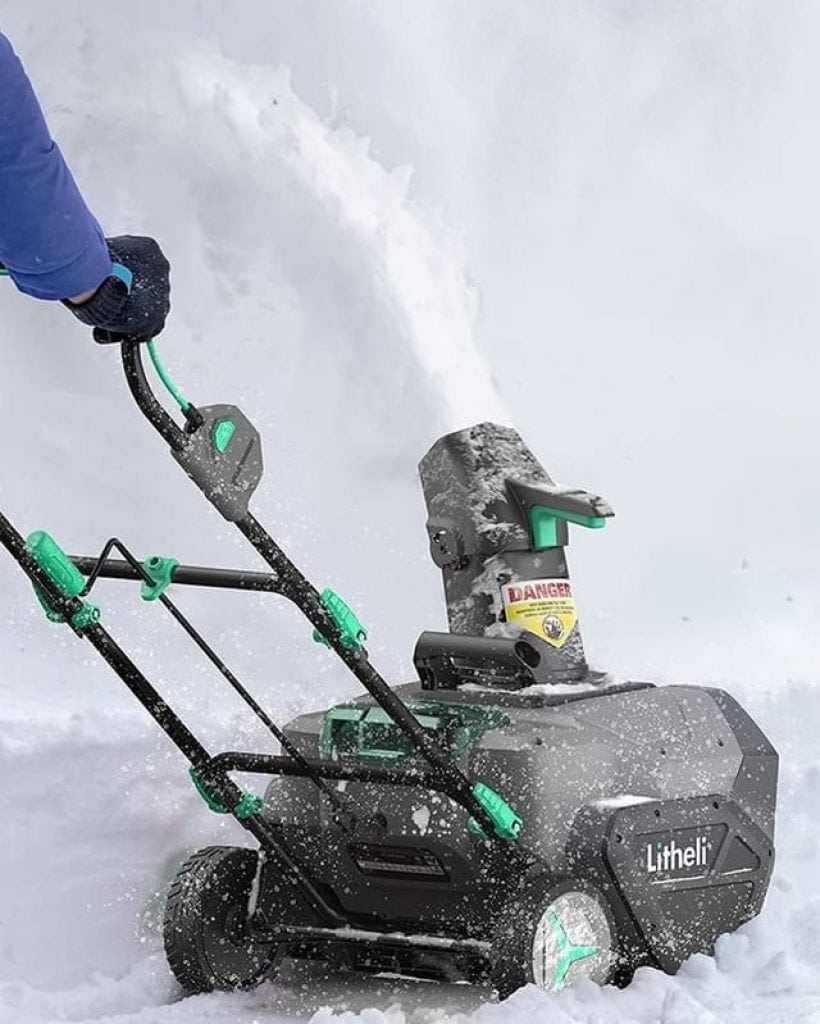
<point>663,798</point>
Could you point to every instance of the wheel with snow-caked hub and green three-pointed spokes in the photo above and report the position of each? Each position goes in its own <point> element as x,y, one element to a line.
<point>552,934</point>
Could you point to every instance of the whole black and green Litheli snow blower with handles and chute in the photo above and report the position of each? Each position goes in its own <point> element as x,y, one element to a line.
<point>511,818</point>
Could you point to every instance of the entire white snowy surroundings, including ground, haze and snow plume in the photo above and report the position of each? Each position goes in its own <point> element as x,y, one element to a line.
<point>387,220</point>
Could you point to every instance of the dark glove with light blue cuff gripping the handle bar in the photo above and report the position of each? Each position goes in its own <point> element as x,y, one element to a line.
<point>132,305</point>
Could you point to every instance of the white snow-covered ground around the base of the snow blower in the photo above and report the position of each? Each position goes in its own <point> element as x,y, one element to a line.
<point>99,814</point>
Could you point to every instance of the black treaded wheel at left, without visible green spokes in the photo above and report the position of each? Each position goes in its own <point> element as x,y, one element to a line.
<point>205,927</point>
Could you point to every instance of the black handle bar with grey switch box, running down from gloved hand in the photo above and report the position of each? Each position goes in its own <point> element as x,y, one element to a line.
<point>222,452</point>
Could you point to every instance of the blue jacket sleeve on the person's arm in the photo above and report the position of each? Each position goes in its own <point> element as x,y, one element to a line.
<point>50,241</point>
